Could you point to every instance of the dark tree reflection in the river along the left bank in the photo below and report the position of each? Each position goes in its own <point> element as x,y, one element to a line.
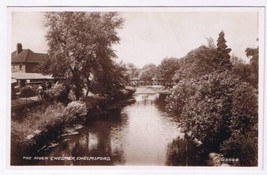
<point>97,144</point>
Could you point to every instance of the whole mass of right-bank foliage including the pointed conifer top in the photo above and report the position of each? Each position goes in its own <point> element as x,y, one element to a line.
<point>216,101</point>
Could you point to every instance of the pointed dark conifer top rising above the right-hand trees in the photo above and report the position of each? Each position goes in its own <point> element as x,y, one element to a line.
<point>221,61</point>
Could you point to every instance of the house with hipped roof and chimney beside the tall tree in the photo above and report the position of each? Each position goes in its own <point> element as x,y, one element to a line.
<point>25,60</point>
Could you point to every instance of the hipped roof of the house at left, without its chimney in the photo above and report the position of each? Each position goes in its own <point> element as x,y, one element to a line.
<point>28,56</point>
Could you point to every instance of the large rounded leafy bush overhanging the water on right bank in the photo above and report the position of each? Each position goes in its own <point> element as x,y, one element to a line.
<point>205,109</point>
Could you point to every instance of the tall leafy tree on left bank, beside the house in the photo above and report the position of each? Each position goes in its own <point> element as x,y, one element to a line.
<point>80,47</point>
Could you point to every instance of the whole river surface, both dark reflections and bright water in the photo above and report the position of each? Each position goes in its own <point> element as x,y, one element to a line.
<point>137,134</point>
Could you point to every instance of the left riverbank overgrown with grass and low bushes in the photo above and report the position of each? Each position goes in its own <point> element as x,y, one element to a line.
<point>46,121</point>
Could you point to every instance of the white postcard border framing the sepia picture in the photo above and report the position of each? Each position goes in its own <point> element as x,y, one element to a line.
<point>5,74</point>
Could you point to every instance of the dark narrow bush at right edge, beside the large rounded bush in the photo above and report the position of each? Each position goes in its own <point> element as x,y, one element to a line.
<point>243,141</point>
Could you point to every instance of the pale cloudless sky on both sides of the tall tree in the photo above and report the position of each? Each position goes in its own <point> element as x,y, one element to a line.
<point>150,36</point>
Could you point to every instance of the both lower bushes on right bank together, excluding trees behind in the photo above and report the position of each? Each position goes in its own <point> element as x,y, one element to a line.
<point>221,111</point>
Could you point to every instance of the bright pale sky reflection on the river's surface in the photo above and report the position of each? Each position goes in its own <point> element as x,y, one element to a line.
<point>148,133</point>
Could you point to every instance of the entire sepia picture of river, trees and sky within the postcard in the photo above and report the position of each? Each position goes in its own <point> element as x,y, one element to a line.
<point>155,86</point>
